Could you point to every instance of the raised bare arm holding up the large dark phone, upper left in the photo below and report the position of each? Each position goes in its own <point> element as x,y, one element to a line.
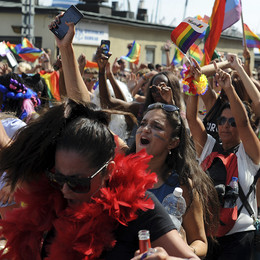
<point>75,86</point>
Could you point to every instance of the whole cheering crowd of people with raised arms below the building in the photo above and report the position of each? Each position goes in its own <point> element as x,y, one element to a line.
<point>81,177</point>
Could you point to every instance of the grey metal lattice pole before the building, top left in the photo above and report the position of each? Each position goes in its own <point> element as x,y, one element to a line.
<point>28,20</point>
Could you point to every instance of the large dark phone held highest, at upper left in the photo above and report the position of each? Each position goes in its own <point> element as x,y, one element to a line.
<point>72,14</point>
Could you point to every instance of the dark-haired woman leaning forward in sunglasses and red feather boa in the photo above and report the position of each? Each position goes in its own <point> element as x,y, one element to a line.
<point>80,200</point>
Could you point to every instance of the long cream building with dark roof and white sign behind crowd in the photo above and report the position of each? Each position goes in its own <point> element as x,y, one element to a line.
<point>96,26</point>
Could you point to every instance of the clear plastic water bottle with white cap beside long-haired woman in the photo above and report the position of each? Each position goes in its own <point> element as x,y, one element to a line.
<point>175,205</point>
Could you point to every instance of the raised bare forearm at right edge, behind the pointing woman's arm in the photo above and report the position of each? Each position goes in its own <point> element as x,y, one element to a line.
<point>250,87</point>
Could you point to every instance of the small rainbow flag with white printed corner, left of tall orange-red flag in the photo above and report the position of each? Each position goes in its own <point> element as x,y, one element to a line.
<point>187,32</point>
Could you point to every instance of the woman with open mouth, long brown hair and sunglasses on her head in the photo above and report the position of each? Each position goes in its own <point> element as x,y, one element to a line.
<point>163,135</point>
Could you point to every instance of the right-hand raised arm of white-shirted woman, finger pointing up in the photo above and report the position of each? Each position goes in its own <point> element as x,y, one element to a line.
<point>246,133</point>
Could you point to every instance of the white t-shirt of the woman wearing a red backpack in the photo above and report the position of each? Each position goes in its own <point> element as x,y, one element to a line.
<point>246,172</point>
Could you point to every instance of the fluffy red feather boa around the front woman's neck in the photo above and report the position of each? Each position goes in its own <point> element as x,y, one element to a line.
<point>81,233</point>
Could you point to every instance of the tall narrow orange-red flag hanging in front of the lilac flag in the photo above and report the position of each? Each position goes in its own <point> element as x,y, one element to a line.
<point>214,30</point>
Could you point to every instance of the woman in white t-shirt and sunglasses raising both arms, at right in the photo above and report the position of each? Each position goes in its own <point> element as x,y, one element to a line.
<point>237,137</point>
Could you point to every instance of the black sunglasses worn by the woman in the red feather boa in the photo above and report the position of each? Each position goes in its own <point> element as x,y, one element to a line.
<point>76,184</point>
